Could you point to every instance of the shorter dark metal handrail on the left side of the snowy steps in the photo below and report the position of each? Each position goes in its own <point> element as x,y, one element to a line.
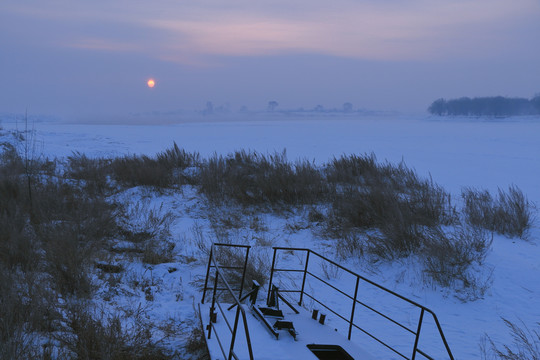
<point>239,308</point>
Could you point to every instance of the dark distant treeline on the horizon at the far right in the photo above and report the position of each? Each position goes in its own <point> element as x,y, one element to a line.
<point>486,106</point>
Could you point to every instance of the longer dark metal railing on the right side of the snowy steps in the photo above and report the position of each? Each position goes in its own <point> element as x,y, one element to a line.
<point>355,301</point>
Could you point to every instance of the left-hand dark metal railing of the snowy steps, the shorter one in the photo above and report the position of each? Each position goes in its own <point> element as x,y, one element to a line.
<point>220,276</point>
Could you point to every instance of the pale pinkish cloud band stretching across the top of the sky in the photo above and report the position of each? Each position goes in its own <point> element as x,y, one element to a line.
<point>382,30</point>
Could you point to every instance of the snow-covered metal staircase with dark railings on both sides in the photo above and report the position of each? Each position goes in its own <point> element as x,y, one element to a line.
<point>232,332</point>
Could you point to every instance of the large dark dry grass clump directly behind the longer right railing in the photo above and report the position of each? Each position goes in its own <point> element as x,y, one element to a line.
<point>398,211</point>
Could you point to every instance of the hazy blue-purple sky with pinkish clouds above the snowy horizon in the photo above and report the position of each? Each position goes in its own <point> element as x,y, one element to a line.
<point>80,58</point>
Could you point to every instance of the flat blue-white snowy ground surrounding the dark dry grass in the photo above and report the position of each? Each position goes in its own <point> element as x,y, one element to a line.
<point>455,152</point>
